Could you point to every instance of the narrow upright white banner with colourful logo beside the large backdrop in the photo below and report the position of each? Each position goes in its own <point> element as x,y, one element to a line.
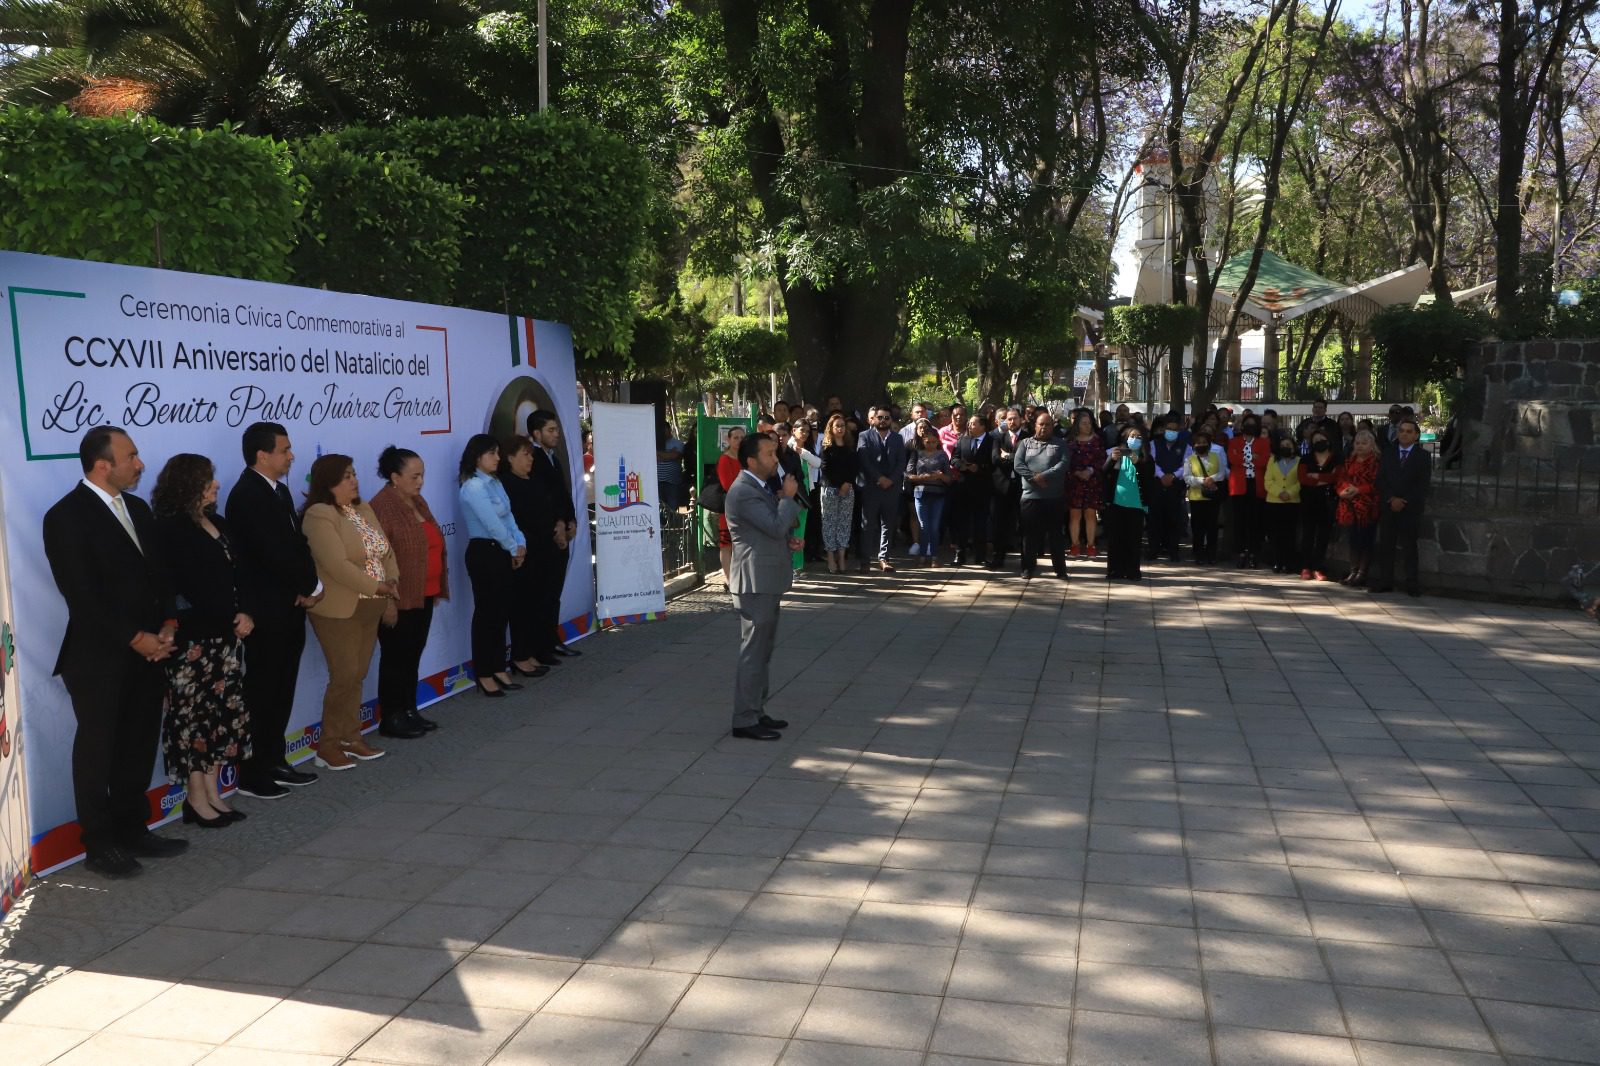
<point>628,515</point>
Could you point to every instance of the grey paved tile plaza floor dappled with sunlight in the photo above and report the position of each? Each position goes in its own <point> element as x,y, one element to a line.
<point>1188,822</point>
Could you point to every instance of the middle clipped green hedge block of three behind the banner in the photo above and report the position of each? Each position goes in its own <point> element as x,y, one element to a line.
<point>377,225</point>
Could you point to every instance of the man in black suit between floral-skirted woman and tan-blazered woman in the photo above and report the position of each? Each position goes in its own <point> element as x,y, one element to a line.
<point>281,577</point>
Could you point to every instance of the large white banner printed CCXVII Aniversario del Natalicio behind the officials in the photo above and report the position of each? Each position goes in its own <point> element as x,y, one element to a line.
<point>185,363</point>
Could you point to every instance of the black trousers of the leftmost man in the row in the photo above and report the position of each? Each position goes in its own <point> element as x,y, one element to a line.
<point>119,710</point>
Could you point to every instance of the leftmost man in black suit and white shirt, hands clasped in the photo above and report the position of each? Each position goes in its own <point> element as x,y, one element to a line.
<point>100,540</point>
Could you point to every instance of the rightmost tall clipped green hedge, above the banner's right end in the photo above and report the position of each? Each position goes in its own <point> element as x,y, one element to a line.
<point>556,222</point>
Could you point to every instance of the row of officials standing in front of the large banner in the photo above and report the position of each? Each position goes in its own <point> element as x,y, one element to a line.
<point>175,607</point>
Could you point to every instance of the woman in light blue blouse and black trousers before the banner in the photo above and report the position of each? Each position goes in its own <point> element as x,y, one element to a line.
<point>495,550</point>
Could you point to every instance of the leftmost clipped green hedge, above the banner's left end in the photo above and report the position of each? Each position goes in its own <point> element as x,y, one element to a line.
<point>102,188</point>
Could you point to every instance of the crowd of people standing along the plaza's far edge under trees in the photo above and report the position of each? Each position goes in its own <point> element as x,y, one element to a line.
<point>972,489</point>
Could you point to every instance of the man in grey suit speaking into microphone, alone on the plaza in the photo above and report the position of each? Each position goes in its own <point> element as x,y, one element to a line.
<point>761,526</point>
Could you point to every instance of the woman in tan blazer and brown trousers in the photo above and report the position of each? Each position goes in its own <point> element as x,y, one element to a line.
<point>358,571</point>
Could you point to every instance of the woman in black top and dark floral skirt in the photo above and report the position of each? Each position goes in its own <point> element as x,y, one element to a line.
<point>207,723</point>
